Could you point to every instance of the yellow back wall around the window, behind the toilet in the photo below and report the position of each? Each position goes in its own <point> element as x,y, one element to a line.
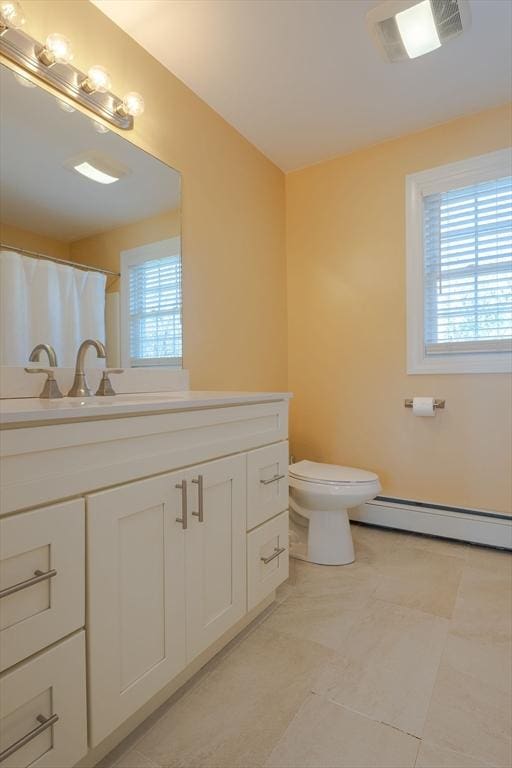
<point>347,329</point>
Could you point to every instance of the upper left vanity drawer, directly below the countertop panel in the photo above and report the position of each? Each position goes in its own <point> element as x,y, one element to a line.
<point>42,574</point>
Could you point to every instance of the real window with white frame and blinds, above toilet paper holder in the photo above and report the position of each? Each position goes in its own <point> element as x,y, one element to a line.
<point>459,266</point>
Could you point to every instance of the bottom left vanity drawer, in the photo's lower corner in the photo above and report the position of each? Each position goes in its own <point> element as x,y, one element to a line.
<point>49,687</point>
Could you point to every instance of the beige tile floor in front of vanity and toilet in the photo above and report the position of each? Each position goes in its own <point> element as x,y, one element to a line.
<point>401,660</point>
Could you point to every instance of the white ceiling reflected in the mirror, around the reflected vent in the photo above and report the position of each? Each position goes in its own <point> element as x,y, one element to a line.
<point>40,194</point>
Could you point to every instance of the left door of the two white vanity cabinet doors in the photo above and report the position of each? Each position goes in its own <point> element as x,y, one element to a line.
<point>136,612</point>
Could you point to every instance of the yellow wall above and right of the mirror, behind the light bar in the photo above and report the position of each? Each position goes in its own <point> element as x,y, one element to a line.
<point>234,281</point>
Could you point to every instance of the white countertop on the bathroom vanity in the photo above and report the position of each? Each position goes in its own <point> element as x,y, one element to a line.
<point>27,411</point>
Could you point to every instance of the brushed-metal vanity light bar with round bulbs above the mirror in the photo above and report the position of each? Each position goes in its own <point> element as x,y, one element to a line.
<point>51,63</point>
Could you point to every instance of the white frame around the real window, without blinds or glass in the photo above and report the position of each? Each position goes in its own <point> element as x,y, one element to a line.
<point>437,180</point>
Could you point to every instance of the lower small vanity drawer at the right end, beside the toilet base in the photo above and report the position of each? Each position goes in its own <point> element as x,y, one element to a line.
<point>267,559</point>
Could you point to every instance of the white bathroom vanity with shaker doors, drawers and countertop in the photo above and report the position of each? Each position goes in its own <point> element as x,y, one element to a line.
<point>139,534</point>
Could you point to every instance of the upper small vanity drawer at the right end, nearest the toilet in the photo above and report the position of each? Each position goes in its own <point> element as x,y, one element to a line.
<point>267,483</point>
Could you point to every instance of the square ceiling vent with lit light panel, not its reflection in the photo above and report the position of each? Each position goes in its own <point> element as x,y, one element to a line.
<point>406,29</point>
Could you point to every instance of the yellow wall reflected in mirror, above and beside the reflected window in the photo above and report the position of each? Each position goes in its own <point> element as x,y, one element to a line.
<point>103,250</point>
